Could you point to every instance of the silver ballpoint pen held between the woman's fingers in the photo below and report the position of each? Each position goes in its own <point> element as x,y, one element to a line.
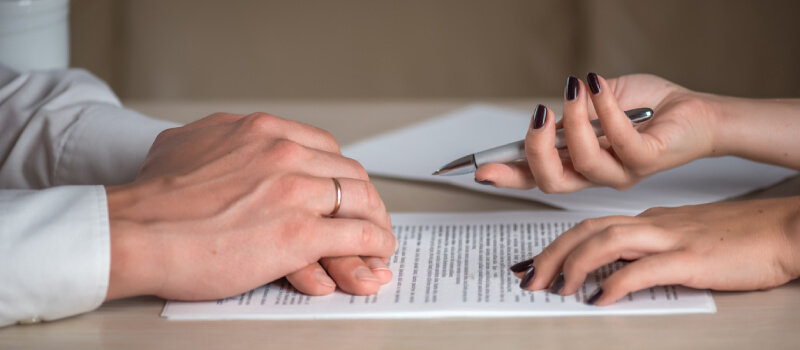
<point>516,150</point>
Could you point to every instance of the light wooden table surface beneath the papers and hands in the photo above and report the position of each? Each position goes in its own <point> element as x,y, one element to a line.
<point>752,320</point>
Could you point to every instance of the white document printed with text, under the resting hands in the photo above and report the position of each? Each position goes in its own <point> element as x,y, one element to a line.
<point>454,265</point>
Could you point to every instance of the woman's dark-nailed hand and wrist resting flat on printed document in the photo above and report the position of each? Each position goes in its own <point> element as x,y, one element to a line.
<point>723,246</point>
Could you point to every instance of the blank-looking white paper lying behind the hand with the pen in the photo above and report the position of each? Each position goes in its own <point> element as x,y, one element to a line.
<point>417,151</point>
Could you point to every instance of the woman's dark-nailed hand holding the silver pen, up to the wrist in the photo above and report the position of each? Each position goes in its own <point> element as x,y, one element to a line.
<point>681,131</point>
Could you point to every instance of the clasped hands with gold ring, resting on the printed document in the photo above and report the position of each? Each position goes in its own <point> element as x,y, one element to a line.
<point>231,202</point>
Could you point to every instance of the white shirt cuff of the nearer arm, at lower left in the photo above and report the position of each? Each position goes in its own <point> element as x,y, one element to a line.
<point>54,252</point>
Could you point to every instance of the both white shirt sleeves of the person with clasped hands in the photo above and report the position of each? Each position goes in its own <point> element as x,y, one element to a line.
<point>63,134</point>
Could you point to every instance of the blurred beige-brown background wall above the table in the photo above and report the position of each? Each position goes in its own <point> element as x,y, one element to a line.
<point>203,49</point>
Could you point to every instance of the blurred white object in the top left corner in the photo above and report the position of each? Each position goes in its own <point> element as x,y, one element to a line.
<point>34,34</point>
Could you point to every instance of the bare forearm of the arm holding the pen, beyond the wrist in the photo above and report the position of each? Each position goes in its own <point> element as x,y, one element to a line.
<point>763,130</point>
